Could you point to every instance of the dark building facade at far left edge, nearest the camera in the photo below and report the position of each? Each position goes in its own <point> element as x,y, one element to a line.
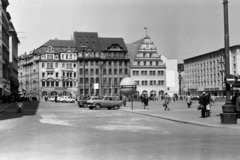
<point>4,49</point>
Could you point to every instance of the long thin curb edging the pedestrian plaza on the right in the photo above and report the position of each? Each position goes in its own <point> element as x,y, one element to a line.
<point>178,120</point>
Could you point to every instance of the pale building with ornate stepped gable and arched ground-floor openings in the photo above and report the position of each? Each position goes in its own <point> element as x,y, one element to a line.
<point>147,68</point>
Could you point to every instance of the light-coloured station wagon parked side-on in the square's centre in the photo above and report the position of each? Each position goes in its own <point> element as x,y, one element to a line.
<point>108,102</point>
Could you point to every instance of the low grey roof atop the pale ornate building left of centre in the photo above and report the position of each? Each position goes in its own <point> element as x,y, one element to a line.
<point>59,43</point>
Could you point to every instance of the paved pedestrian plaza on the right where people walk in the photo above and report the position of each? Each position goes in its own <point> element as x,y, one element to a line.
<point>179,112</point>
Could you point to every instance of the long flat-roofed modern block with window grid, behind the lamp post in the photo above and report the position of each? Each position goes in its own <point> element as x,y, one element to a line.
<point>206,72</point>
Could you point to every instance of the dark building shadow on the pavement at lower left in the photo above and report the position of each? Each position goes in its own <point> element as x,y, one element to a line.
<point>29,109</point>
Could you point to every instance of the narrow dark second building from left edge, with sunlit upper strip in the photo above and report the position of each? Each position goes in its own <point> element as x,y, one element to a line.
<point>13,48</point>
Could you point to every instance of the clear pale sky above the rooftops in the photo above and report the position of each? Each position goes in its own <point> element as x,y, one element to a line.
<point>180,29</point>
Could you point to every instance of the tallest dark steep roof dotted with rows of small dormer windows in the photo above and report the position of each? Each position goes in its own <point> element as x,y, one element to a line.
<point>89,39</point>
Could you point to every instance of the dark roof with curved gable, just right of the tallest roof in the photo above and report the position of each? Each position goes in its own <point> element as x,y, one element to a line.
<point>107,42</point>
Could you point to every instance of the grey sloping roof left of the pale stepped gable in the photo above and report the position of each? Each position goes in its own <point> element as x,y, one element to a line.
<point>133,48</point>
